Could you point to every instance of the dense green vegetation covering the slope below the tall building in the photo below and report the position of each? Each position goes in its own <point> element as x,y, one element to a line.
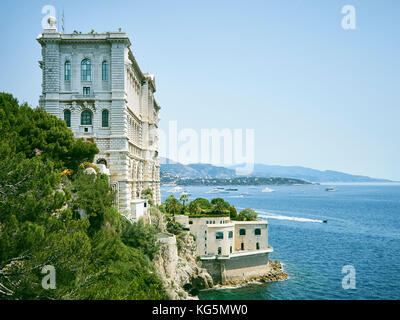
<point>97,256</point>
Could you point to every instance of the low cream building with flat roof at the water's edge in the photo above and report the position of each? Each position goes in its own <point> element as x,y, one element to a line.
<point>231,251</point>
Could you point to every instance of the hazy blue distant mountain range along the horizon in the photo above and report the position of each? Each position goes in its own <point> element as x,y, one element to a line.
<point>207,171</point>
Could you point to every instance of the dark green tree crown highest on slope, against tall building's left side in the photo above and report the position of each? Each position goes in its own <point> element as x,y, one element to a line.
<point>35,132</point>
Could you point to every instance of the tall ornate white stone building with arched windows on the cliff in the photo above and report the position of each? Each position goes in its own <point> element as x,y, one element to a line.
<point>94,83</point>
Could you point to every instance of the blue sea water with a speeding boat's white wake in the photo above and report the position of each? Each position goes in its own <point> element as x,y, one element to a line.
<point>363,230</point>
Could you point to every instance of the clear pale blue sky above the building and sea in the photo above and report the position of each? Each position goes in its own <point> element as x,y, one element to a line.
<point>316,95</point>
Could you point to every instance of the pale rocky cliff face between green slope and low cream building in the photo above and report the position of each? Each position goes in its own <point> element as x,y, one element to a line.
<point>177,262</point>
